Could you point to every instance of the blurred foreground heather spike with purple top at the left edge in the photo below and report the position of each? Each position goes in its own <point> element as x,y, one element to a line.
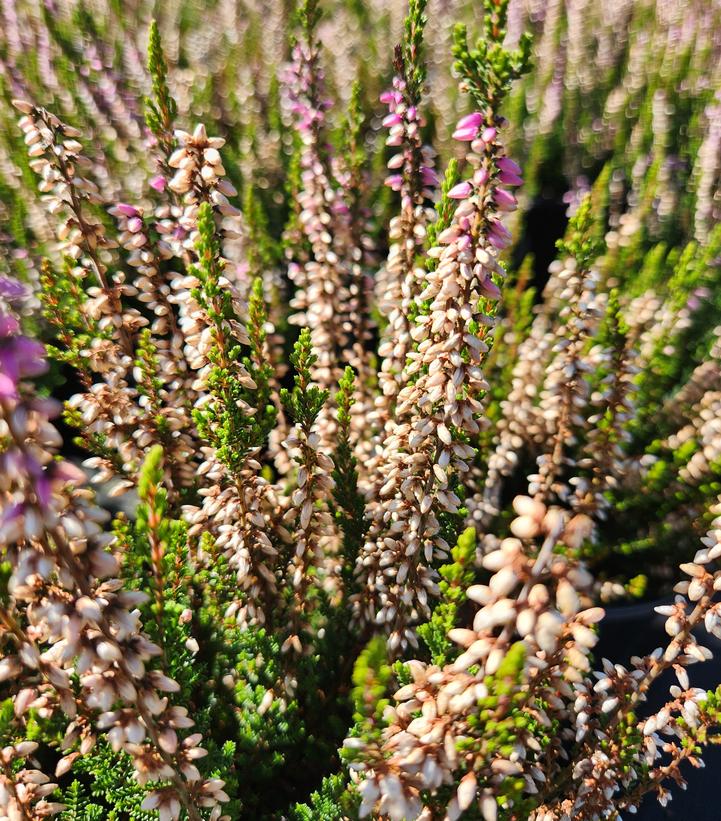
<point>86,624</point>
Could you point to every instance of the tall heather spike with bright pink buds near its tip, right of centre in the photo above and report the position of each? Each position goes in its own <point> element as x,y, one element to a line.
<point>439,409</point>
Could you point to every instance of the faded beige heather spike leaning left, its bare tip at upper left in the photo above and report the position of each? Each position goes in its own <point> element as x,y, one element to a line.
<point>99,333</point>
